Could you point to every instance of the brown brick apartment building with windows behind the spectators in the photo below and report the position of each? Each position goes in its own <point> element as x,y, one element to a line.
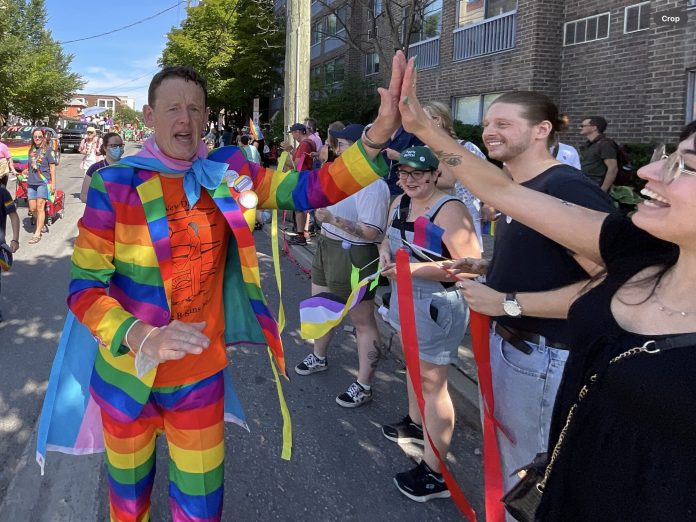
<point>615,58</point>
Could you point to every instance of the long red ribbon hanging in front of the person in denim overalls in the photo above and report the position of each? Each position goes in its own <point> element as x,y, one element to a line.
<point>409,336</point>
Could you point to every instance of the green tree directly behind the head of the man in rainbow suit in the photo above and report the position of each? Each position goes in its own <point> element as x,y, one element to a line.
<point>235,45</point>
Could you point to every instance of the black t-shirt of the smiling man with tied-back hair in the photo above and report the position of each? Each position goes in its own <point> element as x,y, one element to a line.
<point>526,261</point>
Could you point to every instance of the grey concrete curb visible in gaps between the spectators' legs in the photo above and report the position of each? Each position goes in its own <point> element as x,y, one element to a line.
<point>462,383</point>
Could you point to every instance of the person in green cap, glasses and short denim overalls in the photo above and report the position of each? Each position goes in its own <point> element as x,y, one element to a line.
<point>440,310</point>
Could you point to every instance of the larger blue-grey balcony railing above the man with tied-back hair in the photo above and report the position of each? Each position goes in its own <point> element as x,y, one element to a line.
<point>492,35</point>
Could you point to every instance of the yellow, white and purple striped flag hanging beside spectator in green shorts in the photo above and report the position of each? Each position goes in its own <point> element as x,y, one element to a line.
<point>324,311</point>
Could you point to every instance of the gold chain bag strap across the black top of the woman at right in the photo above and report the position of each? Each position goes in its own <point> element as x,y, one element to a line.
<point>651,347</point>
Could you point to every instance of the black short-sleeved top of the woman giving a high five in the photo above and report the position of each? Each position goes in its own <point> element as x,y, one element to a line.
<point>630,449</point>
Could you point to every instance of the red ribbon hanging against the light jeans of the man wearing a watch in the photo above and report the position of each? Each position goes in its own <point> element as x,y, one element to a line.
<point>492,471</point>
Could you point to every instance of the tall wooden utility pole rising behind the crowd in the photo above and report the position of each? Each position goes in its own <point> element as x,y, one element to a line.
<point>298,31</point>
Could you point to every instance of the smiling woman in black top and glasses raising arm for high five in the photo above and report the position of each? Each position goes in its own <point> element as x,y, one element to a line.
<point>624,448</point>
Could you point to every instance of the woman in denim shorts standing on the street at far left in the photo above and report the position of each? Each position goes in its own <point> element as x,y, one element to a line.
<point>41,170</point>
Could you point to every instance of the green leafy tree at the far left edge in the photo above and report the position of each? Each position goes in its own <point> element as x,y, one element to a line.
<point>36,78</point>
